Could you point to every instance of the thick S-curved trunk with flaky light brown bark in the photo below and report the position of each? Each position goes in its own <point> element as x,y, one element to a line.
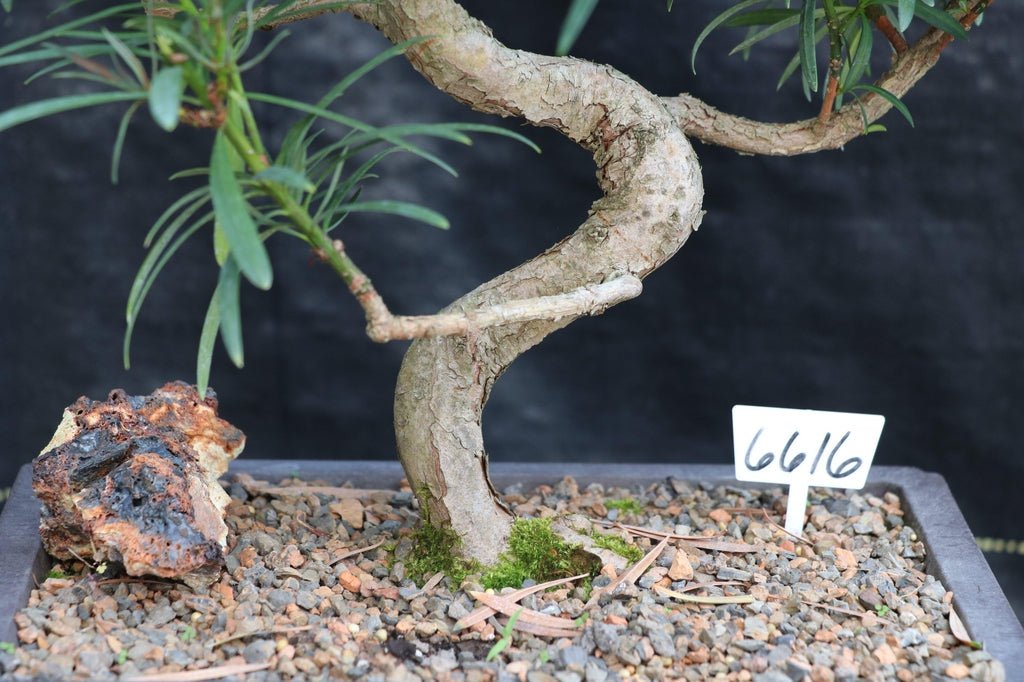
<point>653,193</point>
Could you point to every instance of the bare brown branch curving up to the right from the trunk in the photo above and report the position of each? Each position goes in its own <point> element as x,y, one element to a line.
<point>708,124</point>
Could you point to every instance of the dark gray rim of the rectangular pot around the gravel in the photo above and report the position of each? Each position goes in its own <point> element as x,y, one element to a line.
<point>953,556</point>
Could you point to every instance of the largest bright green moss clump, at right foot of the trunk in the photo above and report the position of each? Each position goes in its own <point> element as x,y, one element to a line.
<point>536,552</point>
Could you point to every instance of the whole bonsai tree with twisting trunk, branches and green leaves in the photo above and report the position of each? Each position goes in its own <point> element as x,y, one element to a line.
<point>186,63</point>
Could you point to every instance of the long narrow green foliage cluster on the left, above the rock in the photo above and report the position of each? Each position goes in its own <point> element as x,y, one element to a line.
<point>185,61</point>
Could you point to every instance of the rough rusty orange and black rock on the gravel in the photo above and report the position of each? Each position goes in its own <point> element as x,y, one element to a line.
<point>134,480</point>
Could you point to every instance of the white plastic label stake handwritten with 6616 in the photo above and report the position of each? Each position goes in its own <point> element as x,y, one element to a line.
<point>804,448</point>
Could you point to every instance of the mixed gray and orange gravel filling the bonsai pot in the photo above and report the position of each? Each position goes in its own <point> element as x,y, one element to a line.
<point>851,603</point>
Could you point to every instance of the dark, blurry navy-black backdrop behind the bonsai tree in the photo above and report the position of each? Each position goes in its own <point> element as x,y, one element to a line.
<point>884,279</point>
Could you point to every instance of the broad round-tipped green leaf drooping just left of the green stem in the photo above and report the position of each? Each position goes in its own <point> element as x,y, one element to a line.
<point>233,216</point>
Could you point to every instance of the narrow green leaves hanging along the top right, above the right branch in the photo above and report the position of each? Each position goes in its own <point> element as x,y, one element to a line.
<point>846,25</point>
